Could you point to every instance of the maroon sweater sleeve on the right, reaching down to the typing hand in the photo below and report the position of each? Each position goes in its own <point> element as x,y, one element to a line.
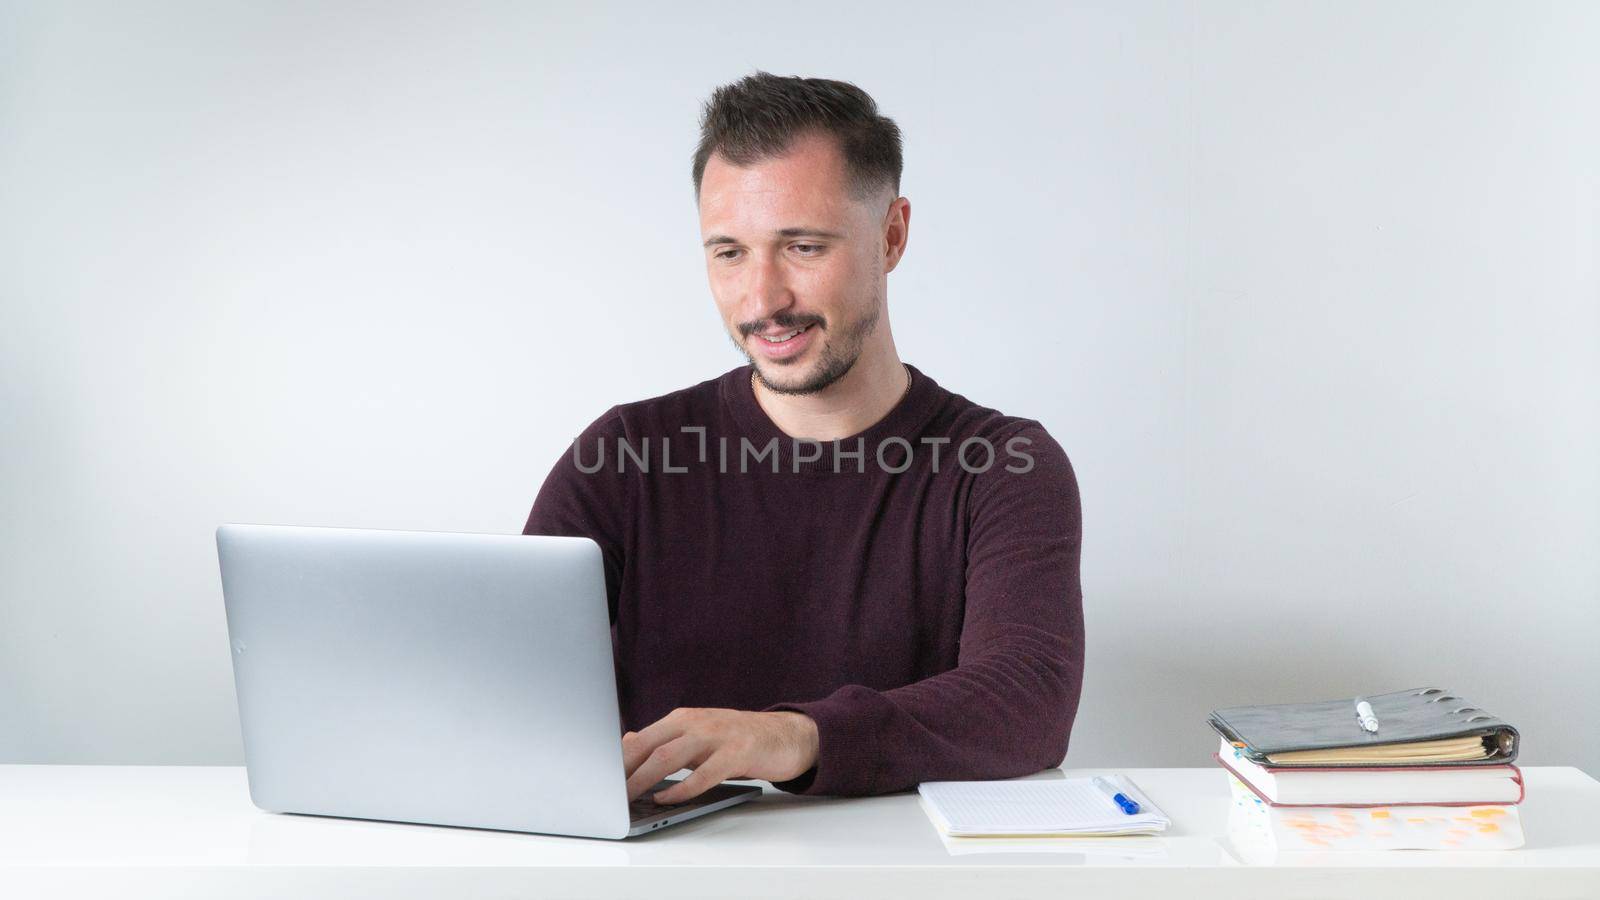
<point>1007,707</point>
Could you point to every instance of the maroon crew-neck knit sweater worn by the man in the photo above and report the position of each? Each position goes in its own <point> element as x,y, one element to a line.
<point>929,621</point>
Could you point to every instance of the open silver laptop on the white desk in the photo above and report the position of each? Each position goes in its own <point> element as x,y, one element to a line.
<point>434,678</point>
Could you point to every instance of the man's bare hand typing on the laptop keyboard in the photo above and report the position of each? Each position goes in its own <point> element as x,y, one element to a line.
<point>718,745</point>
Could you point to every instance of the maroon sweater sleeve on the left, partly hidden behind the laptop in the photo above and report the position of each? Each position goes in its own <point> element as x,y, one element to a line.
<point>586,496</point>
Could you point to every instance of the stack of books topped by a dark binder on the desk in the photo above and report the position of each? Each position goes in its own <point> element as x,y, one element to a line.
<point>1414,769</point>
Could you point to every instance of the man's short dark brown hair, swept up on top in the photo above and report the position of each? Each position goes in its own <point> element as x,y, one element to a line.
<point>761,116</point>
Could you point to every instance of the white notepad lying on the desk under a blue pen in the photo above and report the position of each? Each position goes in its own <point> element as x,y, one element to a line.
<point>1038,810</point>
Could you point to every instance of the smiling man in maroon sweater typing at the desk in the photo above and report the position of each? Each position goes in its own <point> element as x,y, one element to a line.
<point>825,569</point>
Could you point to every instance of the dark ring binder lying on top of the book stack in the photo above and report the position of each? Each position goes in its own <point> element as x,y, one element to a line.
<point>1423,726</point>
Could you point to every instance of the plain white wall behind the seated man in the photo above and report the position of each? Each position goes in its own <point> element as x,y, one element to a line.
<point>1308,292</point>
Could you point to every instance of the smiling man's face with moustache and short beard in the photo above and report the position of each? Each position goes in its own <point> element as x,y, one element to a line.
<point>796,263</point>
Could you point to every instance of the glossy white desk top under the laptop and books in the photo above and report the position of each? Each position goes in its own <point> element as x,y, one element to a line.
<point>191,832</point>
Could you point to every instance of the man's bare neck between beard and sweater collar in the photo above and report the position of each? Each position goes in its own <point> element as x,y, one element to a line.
<point>850,406</point>
